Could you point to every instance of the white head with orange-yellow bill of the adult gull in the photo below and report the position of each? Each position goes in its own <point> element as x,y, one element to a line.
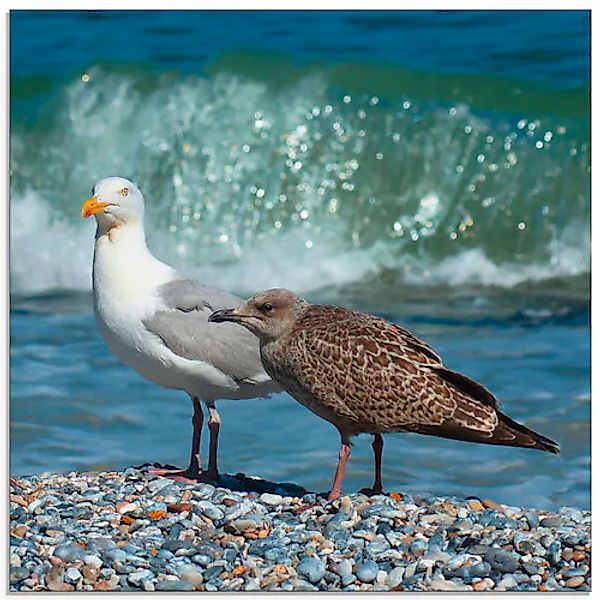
<point>115,201</point>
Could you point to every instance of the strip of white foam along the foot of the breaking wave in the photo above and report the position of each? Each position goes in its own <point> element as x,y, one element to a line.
<point>49,253</point>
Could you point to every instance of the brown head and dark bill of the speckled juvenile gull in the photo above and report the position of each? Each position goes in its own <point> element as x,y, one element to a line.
<point>268,315</point>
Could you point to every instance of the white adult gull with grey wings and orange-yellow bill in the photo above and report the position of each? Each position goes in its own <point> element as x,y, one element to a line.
<point>156,320</point>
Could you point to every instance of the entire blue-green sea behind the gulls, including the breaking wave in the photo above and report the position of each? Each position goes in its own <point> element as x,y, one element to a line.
<point>429,167</point>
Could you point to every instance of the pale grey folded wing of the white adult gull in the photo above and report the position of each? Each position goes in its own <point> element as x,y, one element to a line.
<point>184,328</point>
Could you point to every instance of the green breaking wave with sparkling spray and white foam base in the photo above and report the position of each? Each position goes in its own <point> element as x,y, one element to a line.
<point>252,185</point>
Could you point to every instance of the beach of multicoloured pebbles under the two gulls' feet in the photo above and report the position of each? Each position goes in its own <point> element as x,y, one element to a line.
<point>126,531</point>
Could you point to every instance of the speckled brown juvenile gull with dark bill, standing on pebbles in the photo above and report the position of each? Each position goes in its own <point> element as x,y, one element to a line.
<point>366,375</point>
